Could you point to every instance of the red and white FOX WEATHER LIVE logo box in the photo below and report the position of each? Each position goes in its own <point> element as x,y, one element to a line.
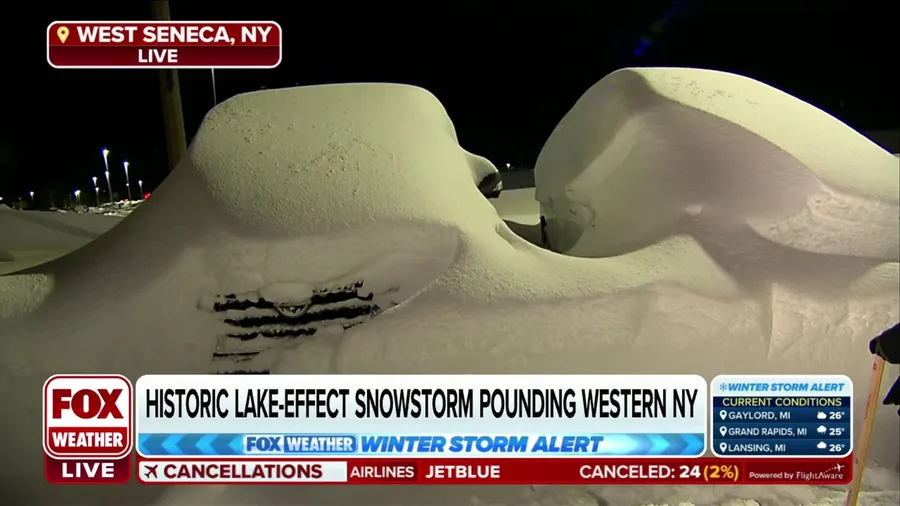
<point>88,429</point>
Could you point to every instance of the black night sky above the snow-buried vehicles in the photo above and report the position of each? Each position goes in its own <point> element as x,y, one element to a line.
<point>505,75</point>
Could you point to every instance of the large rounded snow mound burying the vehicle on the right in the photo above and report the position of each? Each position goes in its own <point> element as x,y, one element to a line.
<point>719,156</point>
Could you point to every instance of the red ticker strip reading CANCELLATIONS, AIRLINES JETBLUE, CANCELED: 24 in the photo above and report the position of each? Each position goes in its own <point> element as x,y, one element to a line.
<point>511,471</point>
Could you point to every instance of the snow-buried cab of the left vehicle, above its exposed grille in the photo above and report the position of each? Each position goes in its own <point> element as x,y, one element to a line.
<point>342,160</point>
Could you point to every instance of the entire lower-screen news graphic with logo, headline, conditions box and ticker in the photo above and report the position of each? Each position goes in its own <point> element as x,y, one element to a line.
<point>428,429</point>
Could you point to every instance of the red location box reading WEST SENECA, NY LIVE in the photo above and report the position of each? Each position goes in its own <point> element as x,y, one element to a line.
<point>164,44</point>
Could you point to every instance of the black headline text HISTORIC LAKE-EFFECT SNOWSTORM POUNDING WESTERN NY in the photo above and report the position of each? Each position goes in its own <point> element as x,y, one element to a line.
<point>419,403</point>
